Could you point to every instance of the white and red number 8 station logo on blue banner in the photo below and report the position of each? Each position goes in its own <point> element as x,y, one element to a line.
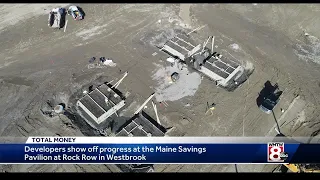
<point>276,152</point>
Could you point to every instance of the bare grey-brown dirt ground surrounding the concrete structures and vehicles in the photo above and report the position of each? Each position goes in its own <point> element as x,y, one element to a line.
<point>38,63</point>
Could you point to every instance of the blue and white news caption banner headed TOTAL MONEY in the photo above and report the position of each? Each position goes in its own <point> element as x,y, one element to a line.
<point>159,150</point>
